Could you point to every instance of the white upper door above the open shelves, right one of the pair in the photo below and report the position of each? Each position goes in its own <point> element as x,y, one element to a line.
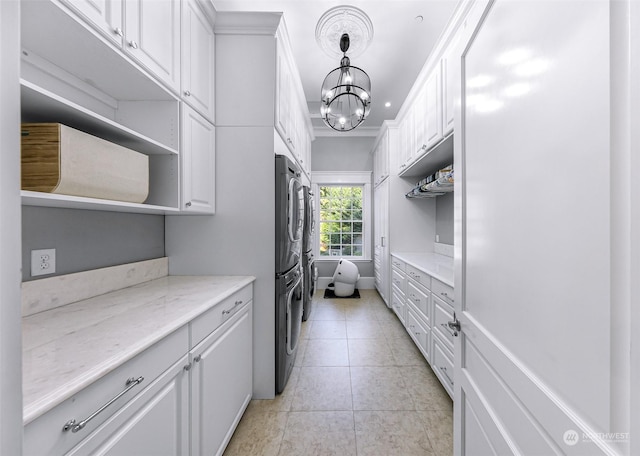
<point>152,37</point>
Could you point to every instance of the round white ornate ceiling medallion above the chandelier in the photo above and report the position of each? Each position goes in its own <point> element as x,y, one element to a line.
<point>340,20</point>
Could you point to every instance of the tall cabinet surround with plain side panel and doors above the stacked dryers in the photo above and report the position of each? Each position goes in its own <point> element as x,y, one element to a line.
<point>239,238</point>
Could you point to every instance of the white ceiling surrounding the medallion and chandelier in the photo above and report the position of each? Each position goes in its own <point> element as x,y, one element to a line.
<point>399,48</point>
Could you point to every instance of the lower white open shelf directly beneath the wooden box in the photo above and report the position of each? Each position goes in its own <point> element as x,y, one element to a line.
<point>76,202</point>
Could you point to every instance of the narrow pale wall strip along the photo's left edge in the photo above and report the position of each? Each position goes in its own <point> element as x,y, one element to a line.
<point>10,309</point>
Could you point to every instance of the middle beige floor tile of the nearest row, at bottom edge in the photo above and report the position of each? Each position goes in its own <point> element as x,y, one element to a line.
<point>319,433</point>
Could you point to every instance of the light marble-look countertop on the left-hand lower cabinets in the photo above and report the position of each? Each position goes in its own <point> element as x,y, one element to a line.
<point>68,348</point>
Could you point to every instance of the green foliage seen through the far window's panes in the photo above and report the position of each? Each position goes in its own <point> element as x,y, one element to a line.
<point>341,231</point>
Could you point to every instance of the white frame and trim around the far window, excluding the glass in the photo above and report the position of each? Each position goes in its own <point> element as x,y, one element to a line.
<point>346,178</point>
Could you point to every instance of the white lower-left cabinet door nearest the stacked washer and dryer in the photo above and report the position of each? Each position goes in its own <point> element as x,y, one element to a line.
<point>221,383</point>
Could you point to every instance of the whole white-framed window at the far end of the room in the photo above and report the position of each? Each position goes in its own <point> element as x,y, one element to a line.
<point>342,216</point>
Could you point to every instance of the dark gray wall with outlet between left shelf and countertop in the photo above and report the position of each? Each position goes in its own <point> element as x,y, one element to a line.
<point>87,240</point>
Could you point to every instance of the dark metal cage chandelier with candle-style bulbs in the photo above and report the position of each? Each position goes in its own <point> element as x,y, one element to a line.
<point>345,94</point>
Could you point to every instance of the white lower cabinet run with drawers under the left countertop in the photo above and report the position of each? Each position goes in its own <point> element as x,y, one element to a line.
<point>180,396</point>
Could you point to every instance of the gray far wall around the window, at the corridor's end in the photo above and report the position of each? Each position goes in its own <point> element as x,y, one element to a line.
<point>344,154</point>
